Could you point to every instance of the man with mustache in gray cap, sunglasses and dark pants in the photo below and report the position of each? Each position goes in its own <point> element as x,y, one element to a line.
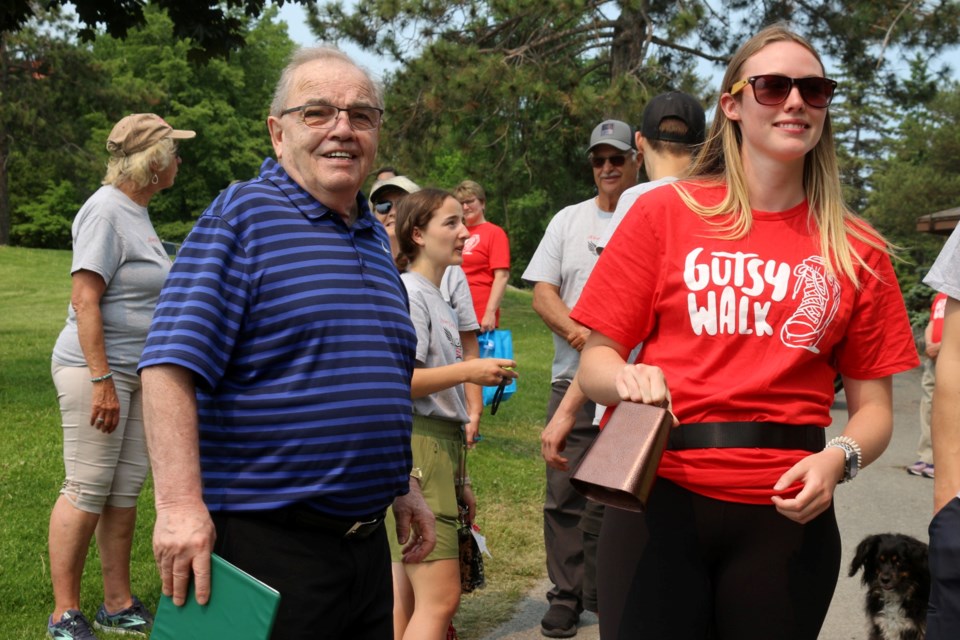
<point>559,268</point>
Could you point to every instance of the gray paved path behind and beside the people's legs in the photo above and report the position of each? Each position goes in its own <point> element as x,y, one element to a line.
<point>882,498</point>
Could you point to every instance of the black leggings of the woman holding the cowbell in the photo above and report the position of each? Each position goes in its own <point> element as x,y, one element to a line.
<point>694,568</point>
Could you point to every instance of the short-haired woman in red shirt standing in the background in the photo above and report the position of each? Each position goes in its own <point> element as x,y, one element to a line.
<point>486,256</point>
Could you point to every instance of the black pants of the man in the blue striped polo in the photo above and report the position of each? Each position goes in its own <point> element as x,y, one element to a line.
<point>330,587</point>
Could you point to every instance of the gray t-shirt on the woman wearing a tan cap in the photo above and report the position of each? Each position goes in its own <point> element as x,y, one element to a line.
<point>113,237</point>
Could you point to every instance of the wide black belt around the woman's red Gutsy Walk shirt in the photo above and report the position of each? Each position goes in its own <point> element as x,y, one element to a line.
<point>747,435</point>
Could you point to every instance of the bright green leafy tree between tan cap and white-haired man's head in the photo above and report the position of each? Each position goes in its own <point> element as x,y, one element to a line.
<point>225,101</point>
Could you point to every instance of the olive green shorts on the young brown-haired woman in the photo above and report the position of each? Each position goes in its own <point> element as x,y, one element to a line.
<point>436,448</point>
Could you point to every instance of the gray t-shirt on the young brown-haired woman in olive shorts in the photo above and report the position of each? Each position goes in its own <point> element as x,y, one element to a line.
<point>438,345</point>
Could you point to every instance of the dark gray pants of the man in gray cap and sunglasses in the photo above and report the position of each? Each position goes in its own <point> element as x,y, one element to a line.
<point>563,508</point>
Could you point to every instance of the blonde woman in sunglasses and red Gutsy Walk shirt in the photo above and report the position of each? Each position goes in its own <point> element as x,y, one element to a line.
<point>750,285</point>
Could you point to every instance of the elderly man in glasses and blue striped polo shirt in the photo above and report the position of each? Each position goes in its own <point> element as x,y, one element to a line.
<point>277,374</point>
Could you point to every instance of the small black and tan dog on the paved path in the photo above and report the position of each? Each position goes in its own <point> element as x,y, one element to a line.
<point>897,576</point>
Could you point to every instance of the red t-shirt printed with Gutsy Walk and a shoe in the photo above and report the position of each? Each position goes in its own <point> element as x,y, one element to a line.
<point>744,330</point>
